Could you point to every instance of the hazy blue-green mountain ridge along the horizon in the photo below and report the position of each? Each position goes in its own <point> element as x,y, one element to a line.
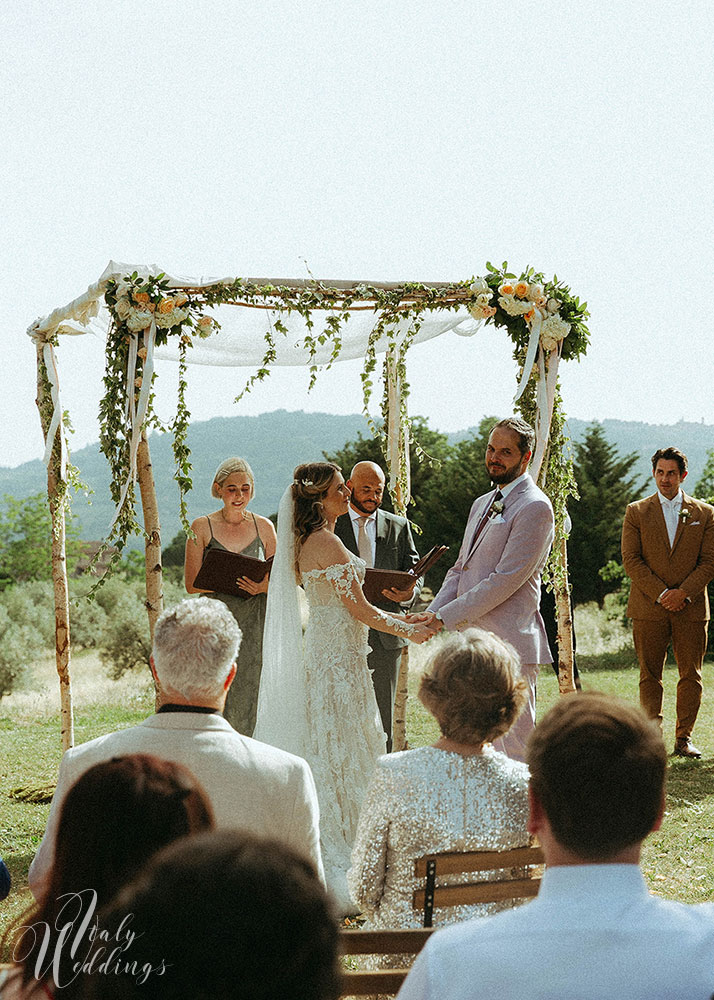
<point>274,443</point>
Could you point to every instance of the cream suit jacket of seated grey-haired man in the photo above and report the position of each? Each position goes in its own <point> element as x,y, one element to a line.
<point>251,785</point>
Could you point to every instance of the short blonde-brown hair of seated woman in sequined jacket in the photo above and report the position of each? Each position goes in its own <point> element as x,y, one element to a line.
<point>473,687</point>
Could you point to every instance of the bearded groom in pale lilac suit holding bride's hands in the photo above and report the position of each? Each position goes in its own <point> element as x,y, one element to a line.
<point>495,582</point>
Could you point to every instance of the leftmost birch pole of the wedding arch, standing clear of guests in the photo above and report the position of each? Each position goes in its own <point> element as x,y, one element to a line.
<point>56,487</point>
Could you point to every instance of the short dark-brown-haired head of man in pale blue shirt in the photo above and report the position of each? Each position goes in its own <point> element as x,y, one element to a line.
<point>597,779</point>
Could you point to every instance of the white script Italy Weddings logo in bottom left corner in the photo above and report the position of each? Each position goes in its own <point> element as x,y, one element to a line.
<point>77,945</point>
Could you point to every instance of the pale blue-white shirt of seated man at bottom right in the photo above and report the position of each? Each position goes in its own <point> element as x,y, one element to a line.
<point>593,931</point>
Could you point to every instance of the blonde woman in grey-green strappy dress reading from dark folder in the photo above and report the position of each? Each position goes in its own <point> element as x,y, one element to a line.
<point>235,529</point>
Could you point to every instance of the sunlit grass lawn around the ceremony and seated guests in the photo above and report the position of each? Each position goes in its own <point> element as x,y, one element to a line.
<point>678,860</point>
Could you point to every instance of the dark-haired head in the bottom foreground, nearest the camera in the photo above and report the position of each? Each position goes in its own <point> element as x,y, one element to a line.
<point>225,916</point>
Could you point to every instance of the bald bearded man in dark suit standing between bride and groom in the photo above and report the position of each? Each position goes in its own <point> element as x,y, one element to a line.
<point>384,541</point>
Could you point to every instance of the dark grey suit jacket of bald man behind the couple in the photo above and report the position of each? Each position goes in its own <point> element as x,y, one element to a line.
<point>394,549</point>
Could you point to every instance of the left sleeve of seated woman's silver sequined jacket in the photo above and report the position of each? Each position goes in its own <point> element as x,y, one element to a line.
<point>365,878</point>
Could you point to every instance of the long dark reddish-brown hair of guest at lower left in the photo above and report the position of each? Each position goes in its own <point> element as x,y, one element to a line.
<point>113,819</point>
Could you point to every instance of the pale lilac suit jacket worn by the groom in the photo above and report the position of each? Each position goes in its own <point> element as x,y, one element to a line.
<point>495,585</point>
